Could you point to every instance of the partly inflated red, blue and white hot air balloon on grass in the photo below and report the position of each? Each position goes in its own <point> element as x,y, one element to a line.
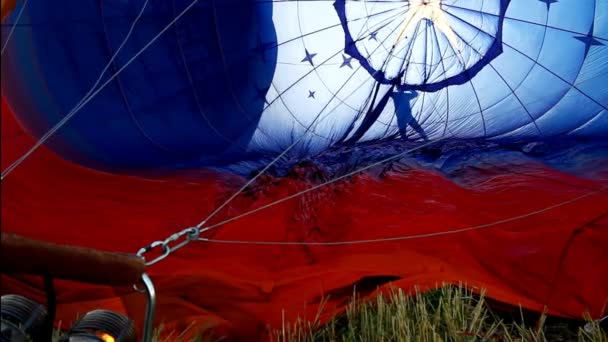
<point>317,143</point>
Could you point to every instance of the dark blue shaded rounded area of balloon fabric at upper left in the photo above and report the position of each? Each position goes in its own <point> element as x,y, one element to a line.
<point>188,97</point>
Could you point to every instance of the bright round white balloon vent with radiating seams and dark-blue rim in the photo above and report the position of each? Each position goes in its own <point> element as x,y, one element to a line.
<point>426,45</point>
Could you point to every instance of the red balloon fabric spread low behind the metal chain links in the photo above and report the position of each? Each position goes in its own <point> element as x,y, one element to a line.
<point>527,233</point>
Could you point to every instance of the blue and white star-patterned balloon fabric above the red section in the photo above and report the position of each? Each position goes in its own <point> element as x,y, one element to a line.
<point>216,82</point>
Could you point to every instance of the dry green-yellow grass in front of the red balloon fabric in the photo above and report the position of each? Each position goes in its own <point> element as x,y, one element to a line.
<point>449,313</point>
